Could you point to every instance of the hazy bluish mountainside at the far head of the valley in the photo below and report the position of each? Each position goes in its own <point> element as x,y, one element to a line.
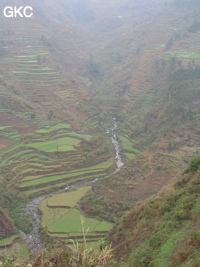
<point>93,27</point>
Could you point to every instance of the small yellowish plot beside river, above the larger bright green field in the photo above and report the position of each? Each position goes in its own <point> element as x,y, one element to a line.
<point>68,199</point>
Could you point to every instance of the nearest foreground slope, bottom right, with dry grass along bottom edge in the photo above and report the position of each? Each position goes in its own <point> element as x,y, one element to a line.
<point>161,231</point>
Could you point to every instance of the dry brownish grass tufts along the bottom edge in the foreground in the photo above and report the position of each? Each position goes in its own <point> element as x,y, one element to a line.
<point>60,255</point>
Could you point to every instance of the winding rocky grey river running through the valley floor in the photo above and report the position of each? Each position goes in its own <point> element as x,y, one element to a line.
<point>33,239</point>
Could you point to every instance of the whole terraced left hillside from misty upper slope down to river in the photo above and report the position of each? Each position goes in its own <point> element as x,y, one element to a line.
<point>40,121</point>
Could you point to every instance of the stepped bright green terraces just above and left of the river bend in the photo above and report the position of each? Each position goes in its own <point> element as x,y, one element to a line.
<point>51,157</point>
